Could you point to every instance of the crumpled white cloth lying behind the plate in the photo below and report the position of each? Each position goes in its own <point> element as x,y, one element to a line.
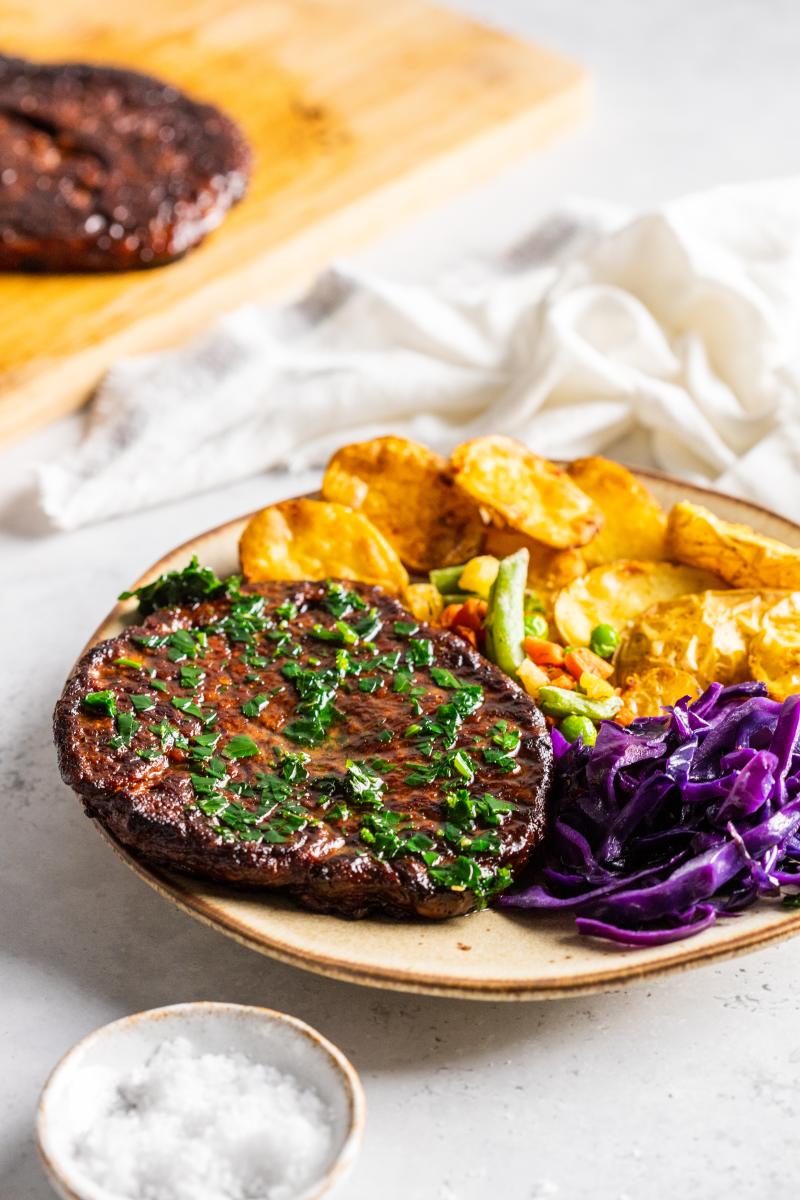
<point>681,323</point>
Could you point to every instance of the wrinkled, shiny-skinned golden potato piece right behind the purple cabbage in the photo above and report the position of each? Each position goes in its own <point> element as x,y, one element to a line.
<point>707,634</point>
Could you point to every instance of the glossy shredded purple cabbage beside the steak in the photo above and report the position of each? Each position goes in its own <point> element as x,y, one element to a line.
<point>675,821</point>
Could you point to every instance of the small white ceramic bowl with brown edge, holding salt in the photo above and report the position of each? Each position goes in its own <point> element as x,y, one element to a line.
<point>263,1035</point>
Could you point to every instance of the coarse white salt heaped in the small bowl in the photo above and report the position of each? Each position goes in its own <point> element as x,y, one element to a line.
<point>194,1126</point>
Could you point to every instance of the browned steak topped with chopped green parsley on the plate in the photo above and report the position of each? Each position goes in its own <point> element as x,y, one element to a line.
<point>310,737</point>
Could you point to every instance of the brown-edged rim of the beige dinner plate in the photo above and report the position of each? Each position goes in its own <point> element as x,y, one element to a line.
<point>213,908</point>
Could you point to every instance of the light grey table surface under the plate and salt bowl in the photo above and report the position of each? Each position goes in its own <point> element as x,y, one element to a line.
<point>688,1085</point>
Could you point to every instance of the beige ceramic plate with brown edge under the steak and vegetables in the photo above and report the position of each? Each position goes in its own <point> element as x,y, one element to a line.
<point>489,956</point>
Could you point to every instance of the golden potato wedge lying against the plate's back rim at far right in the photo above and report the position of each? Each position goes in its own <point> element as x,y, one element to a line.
<point>741,556</point>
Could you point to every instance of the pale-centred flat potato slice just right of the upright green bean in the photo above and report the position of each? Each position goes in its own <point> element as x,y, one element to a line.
<point>617,593</point>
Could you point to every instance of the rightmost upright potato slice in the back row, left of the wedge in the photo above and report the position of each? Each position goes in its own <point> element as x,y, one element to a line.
<point>634,521</point>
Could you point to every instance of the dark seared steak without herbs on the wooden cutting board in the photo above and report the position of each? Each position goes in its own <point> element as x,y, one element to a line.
<point>104,170</point>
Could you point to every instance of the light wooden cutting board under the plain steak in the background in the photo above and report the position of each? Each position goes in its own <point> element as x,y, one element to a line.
<point>362,113</point>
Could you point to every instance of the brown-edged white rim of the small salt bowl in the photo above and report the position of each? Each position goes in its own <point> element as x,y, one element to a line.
<point>357,1106</point>
